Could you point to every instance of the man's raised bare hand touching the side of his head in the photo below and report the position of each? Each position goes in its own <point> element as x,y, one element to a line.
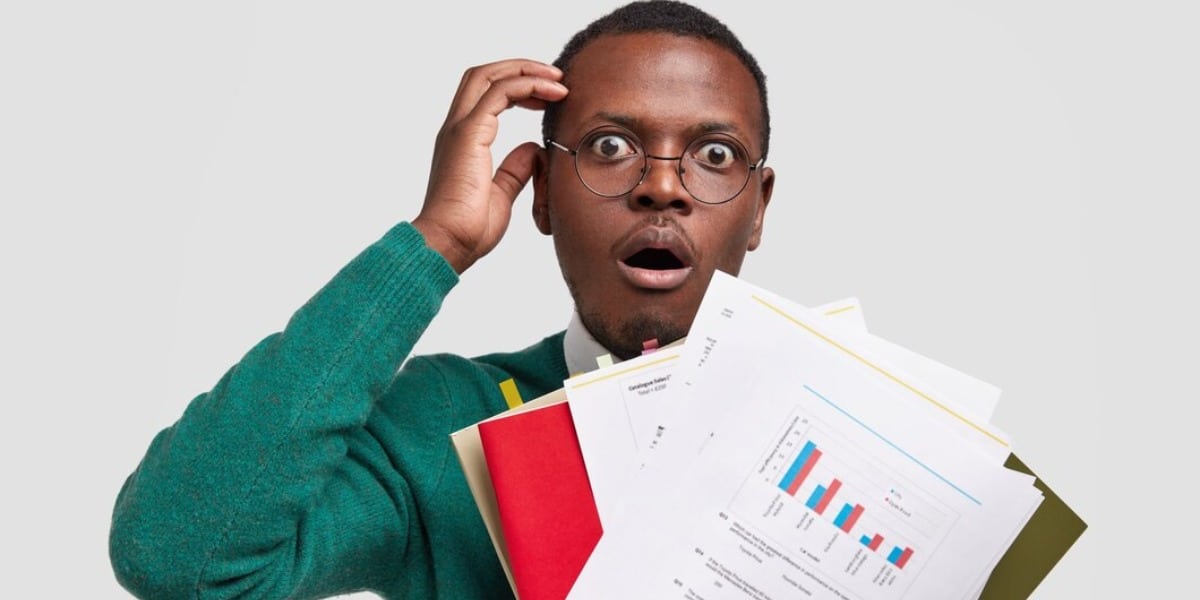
<point>469,206</point>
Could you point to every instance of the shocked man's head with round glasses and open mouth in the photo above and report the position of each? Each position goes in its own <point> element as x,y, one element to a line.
<point>665,88</point>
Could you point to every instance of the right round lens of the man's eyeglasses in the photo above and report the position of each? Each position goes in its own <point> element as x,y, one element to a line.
<point>716,169</point>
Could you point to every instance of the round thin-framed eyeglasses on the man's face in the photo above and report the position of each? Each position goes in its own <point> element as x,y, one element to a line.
<point>611,163</point>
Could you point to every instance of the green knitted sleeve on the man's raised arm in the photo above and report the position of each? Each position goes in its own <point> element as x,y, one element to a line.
<point>224,503</point>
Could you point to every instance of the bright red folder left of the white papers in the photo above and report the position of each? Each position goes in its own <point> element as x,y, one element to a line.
<point>547,509</point>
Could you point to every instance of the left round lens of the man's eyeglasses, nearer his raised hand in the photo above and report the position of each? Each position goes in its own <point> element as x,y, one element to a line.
<point>610,163</point>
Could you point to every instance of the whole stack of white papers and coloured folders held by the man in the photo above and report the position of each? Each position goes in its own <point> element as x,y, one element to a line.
<point>781,452</point>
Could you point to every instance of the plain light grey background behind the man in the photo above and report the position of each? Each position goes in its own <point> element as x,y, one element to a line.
<point>1006,187</point>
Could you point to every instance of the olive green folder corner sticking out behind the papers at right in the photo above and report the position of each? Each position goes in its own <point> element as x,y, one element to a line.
<point>1046,539</point>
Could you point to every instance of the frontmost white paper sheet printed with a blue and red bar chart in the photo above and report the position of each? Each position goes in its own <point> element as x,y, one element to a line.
<point>734,521</point>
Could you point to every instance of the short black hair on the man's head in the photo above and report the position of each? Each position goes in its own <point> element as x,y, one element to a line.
<point>667,17</point>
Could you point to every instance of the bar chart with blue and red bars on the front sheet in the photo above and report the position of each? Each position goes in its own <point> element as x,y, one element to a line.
<point>856,520</point>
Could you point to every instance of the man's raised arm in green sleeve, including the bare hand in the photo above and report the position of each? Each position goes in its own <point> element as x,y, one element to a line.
<point>272,485</point>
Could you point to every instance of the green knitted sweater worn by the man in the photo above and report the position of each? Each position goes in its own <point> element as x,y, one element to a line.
<point>315,467</point>
